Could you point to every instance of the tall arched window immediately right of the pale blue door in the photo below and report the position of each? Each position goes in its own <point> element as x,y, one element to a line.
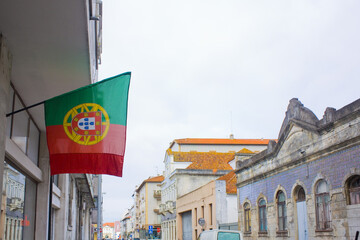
<point>323,220</point>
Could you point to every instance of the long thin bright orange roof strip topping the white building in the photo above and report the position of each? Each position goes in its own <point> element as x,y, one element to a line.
<point>222,141</point>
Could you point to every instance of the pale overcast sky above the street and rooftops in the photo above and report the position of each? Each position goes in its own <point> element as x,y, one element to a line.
<point>205,69</point>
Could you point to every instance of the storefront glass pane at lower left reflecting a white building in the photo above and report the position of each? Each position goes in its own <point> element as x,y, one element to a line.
<point>20,201</point>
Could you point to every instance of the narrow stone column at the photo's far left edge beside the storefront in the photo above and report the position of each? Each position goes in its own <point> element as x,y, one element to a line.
<point>5,71</point>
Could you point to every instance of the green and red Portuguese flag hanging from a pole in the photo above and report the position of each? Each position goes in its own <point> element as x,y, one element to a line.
<point>86,128</point>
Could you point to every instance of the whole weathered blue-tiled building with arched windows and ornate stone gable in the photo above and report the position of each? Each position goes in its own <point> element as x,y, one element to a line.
<point>306,185</point>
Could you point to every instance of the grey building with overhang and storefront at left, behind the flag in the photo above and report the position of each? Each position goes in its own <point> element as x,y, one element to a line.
<point>37,63</point>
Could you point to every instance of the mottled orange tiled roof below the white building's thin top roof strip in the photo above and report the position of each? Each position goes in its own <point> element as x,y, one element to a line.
<point>205,160</point>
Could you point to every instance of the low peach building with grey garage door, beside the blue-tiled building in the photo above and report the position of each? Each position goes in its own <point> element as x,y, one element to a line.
<point>211,206</point>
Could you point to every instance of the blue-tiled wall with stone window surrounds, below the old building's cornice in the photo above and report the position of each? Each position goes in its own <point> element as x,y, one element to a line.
<point>307,175</point>
